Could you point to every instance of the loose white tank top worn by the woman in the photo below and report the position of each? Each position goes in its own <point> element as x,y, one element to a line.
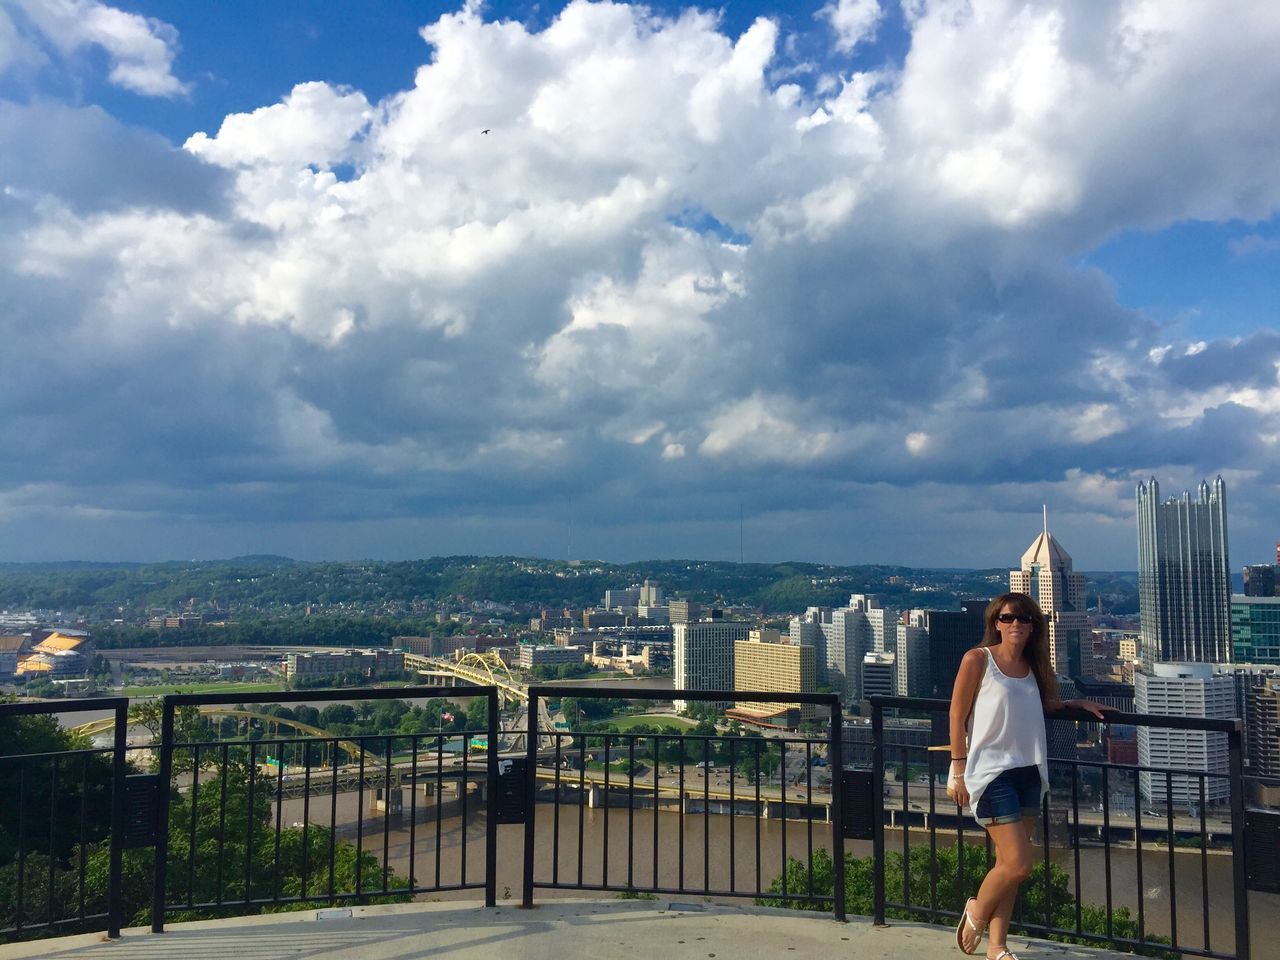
<point>1007,730</point>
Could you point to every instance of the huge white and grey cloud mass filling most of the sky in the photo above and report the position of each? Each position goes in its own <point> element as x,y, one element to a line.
<point>665,272</point>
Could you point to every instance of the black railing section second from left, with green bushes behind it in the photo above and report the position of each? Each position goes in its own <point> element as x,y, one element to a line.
<point>252,822</point>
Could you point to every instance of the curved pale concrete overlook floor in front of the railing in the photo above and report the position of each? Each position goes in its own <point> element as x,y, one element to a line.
<point>560,930</point>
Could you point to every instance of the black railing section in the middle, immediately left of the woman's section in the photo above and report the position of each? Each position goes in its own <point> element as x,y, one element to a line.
<point>664,843</point>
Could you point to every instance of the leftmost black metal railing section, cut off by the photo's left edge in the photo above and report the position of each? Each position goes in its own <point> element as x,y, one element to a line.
<point>62,812</point>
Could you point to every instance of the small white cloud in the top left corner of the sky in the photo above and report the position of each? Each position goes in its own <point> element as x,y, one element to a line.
<point>141,51</point>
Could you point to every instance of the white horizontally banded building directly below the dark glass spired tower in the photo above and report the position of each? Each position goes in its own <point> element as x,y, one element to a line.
<point>1183,691</point>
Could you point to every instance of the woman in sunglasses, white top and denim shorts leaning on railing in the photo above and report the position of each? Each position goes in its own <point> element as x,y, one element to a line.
<point>999,702</point>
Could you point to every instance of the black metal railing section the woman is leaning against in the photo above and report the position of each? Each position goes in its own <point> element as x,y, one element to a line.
<point>1101,822</point>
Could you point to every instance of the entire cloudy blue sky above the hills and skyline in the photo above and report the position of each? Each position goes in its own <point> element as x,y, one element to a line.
<point>848,282</point>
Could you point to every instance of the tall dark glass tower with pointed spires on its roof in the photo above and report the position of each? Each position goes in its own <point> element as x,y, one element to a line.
<point>1185,583</point>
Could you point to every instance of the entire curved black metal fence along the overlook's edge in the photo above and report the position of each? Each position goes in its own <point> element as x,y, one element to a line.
<point>225,816</point>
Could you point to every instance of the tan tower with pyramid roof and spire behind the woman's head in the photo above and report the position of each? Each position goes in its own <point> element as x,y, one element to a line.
<point>1048,577</point>
